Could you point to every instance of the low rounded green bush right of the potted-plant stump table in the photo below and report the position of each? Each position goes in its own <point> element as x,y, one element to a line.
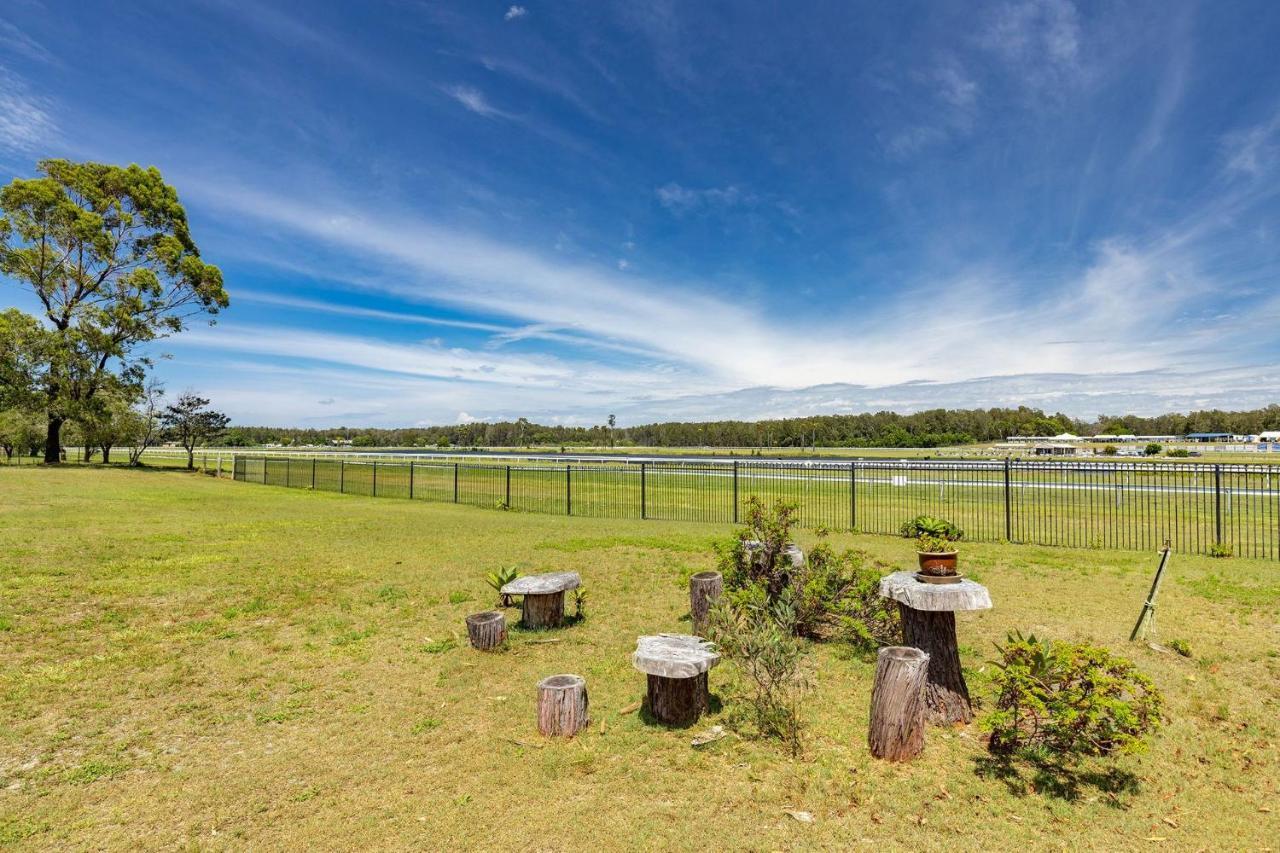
<point>1063,701</point>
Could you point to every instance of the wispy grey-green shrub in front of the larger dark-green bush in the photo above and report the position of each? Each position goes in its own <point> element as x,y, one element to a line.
<point>760,637</point>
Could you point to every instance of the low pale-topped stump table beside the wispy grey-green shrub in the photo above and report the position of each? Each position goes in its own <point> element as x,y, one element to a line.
<point>676,667</point>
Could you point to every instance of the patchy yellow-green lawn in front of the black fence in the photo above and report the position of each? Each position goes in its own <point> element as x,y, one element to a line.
<point>193,663</point>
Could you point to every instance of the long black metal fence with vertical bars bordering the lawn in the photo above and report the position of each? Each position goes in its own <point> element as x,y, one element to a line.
<point>1200,509</point>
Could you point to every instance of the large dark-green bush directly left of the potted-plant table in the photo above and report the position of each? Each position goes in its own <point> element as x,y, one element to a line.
<point>833,595</point>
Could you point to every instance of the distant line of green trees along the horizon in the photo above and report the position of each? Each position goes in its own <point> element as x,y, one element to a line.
<point>934,428</point>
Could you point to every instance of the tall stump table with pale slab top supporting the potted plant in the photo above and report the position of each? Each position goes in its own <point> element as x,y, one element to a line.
<point>930,624</point>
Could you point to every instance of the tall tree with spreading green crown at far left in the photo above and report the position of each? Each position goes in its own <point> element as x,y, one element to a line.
<point>108,253</point>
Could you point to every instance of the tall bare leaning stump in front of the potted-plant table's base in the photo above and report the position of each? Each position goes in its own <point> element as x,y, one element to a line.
<point>897,731</point>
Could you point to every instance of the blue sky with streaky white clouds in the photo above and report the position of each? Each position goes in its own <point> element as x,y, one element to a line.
<point>429,213</point>
